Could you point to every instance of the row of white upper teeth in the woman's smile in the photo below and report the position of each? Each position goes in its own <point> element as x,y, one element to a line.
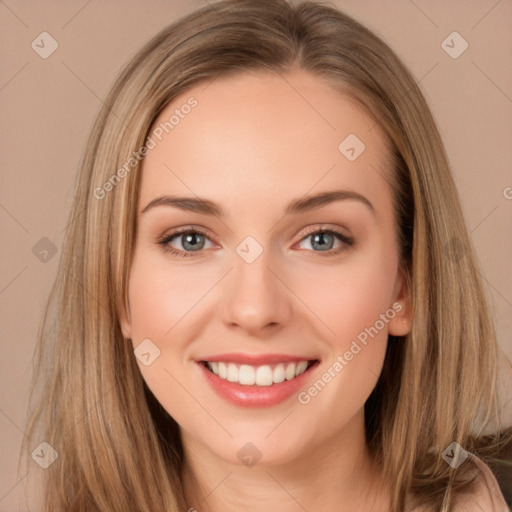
<point>260,375</point>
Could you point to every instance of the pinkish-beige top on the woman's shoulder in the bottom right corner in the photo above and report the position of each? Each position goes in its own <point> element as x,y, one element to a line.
<point>485,496</point>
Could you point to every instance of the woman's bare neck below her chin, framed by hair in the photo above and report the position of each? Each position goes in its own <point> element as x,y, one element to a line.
<point>336,474</point>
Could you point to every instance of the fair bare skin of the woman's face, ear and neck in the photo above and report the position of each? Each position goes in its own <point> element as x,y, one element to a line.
<point>254,143</point>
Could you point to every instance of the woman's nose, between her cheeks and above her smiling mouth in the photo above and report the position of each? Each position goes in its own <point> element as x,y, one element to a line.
<point>256,299</point>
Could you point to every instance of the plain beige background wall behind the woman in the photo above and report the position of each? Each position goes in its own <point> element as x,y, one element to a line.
<point>48,107</point>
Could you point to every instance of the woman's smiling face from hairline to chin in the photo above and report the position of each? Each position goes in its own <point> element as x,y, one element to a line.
<point>289,262</point>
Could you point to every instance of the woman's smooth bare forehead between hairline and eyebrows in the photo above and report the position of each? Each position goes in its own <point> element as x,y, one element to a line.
<point>255,135</point>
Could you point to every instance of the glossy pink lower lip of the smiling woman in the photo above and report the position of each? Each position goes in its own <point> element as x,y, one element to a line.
<point>255,396</point>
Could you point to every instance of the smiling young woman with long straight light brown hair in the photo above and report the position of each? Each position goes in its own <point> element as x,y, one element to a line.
<point>267,294</point>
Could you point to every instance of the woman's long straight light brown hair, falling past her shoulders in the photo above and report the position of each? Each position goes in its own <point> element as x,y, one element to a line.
<point>118,449</point>
